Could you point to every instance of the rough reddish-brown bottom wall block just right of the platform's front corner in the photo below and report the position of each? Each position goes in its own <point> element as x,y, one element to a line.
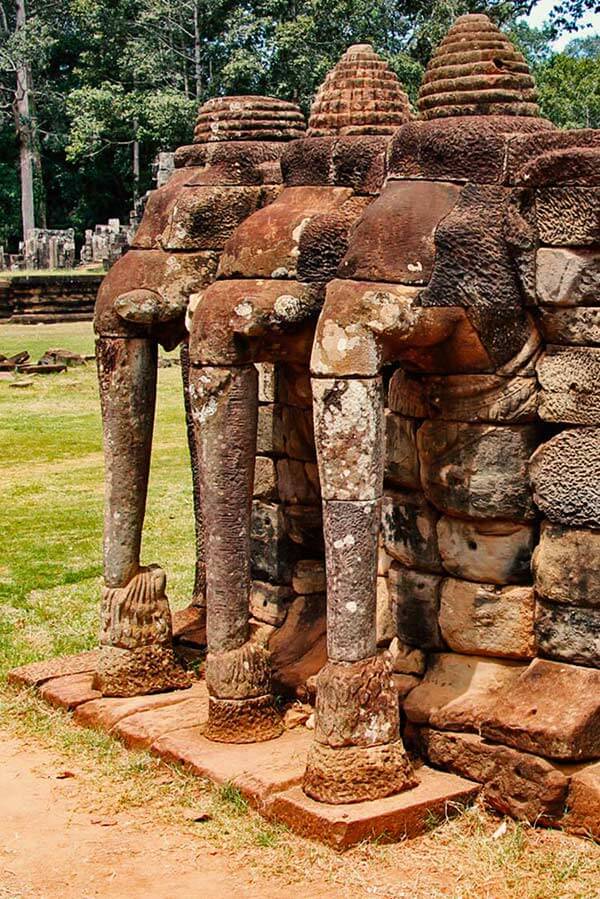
<point>523,786</point>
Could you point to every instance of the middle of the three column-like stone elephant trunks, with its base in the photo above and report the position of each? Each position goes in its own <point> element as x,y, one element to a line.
<point>224,405</point>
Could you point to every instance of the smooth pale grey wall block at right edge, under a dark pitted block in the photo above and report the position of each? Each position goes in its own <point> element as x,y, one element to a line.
<point>568,277</point>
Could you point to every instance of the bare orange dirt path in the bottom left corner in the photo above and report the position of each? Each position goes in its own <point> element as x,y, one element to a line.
<point>52,844</point>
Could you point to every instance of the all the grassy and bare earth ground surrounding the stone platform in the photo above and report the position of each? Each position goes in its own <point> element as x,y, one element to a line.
<point>127,825</point>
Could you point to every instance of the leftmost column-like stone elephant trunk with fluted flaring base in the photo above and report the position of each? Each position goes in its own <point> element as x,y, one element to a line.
<point>137,655</point>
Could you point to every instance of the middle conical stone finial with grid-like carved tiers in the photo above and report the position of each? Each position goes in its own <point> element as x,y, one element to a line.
<point>360,95</point>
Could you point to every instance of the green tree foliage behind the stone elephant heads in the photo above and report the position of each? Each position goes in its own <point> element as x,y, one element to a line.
<point>108,73</point>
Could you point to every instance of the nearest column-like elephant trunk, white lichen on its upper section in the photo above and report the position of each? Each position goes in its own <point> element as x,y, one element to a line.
<point>357,753</point>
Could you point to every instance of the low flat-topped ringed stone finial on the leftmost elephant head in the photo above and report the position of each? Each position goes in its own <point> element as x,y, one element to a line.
<point>248,118</point>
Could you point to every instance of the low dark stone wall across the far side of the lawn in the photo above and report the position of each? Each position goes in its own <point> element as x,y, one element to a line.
<point>50,298</point>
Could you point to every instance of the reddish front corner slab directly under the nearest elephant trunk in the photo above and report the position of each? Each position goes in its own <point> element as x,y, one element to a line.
<point>394,818</point>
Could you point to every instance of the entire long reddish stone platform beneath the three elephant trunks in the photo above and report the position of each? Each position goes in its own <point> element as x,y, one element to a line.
<point>269,774</point>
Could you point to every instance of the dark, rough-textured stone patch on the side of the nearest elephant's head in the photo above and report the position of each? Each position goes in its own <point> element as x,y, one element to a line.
<point>489,290</point>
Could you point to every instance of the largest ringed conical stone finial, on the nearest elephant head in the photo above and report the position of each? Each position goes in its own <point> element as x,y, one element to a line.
<point>477,71</point>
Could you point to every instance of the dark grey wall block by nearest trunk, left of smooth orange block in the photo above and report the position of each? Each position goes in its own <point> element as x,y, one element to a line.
<point>415,603</point>
